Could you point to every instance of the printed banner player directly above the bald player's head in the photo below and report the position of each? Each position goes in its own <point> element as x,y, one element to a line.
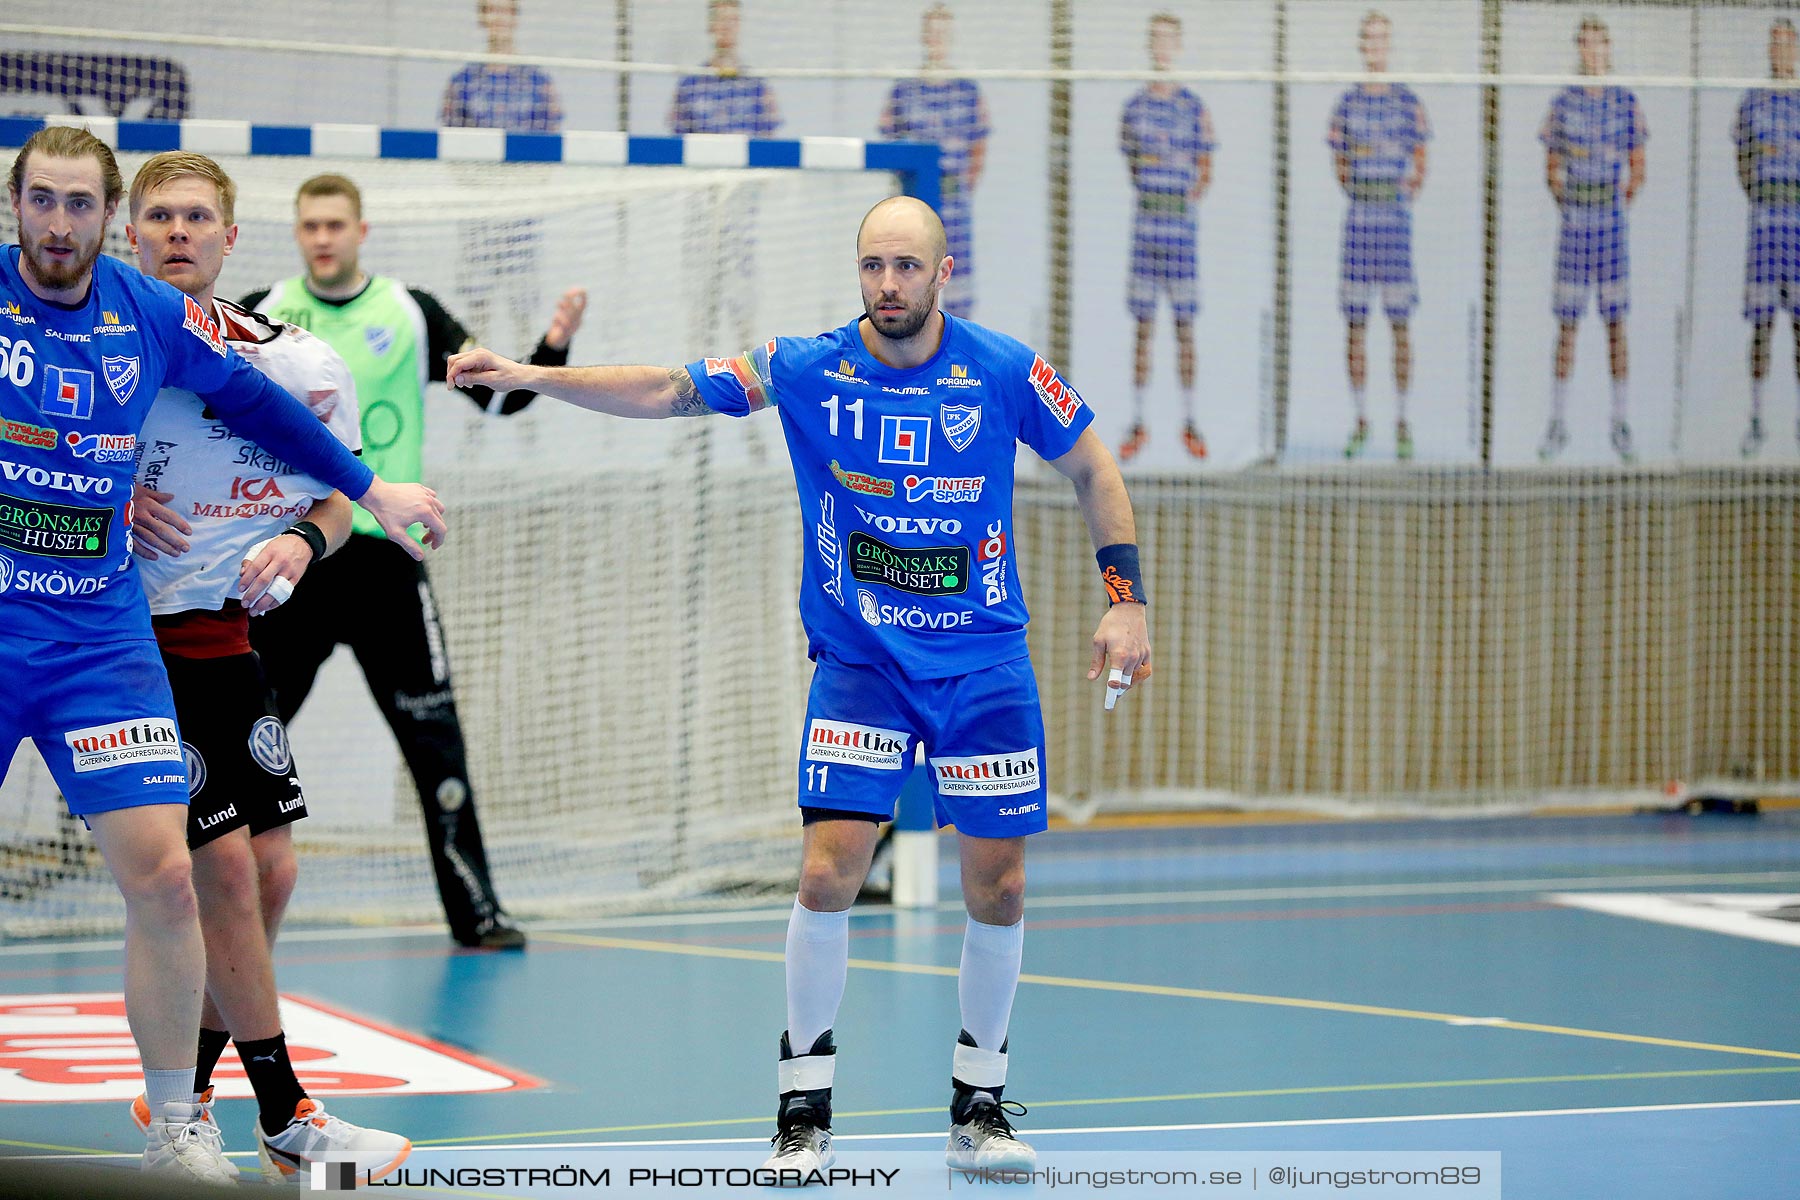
<point>951,114</point>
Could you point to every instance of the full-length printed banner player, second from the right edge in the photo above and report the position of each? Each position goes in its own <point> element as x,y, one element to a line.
<point>1594,165</point>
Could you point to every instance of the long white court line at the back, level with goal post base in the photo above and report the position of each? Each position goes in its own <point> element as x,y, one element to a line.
<point>733,917</point>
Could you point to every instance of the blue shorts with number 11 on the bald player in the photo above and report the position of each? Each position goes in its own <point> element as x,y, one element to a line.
<point>984,737</point>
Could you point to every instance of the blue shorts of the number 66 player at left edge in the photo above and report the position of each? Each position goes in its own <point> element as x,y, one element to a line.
<point>103,721</point>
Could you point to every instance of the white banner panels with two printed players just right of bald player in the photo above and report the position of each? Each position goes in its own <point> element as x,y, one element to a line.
<point>1385,316</point>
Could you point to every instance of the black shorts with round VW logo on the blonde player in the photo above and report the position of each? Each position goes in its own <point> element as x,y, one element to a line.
<point>240,769</point>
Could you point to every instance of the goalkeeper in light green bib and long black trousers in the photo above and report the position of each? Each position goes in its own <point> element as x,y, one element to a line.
<point>373,596</point>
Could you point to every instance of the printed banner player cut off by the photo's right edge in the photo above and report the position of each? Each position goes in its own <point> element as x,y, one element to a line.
<point>1768,166</point>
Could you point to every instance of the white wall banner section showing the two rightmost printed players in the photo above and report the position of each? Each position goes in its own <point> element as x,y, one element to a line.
<point>1650,345</point>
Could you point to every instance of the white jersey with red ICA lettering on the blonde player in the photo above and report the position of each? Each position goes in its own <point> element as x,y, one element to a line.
<point>233,492</point>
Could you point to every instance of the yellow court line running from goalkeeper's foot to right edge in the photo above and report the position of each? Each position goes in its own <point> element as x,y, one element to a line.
<point>1185,994</point>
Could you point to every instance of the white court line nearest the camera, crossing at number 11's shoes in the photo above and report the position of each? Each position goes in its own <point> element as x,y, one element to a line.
<point>1068,1133</point>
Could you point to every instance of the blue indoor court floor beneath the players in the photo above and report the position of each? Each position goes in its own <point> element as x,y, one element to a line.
<point>1608,1003</point>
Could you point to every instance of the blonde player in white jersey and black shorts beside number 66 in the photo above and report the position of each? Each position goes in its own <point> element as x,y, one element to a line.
<point>224,533</point>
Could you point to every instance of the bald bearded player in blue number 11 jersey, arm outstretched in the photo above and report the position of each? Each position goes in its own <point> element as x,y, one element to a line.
<point>903,427</point>
